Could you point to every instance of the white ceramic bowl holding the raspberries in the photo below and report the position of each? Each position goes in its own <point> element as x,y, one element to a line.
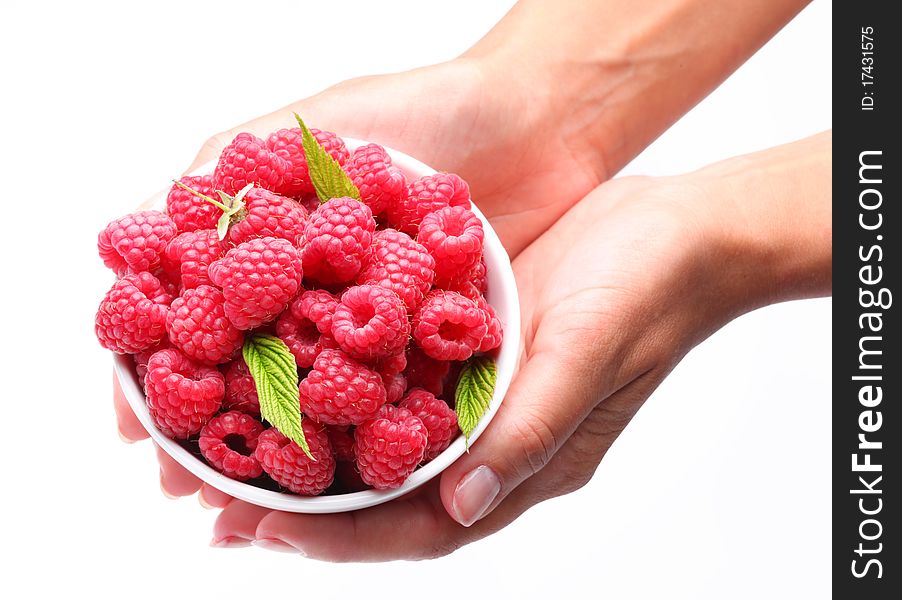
<point>502,295</point>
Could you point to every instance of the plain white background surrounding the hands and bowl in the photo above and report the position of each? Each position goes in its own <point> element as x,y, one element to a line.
<point>720,488</point>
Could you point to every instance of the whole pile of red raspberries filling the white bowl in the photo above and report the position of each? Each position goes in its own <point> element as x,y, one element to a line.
<point>380,300</point>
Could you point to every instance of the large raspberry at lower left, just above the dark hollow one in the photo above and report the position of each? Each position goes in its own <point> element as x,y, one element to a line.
<point>181,395</point>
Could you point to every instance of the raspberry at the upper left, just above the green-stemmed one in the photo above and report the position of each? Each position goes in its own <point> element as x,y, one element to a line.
<point>248,160</point>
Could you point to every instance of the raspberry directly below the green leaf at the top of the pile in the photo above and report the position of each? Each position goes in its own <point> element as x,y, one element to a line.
<point>337,240</point>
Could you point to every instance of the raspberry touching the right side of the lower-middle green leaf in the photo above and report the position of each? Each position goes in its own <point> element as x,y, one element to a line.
<point>341,391</point>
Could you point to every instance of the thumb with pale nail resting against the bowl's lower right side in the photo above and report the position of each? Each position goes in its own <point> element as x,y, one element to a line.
<point>548,399</point>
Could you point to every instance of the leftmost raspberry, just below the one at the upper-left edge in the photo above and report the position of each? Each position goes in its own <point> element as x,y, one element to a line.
<point>132,315</point>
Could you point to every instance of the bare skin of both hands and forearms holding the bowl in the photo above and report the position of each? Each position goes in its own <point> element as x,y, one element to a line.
<point>618,281</point>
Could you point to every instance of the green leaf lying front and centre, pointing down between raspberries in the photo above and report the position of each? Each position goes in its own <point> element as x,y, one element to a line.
<point>276,377</point>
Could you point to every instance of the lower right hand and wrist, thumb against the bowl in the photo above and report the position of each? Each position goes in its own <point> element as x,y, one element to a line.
<point>613,296</point>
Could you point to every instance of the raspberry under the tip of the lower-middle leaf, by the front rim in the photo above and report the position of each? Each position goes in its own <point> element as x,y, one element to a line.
<point>287,464</point>
